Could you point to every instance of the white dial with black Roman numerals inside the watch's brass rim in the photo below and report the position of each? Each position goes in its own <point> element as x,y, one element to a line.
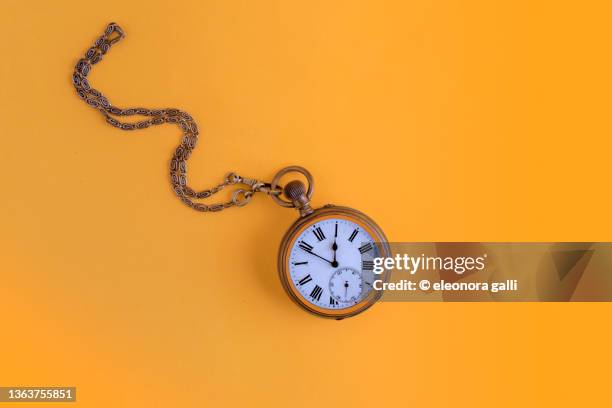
<point>329,251</point>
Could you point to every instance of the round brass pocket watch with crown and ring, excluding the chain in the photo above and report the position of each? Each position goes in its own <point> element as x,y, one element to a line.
<point>325,260</point>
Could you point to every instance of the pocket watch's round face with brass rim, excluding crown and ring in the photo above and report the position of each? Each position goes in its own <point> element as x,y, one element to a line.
<point>328,263</point>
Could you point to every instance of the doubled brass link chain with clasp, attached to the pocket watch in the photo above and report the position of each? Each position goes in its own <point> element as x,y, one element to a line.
<point>178,163</point>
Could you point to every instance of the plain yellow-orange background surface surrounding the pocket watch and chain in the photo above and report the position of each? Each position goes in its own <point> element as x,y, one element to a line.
<point>443,120</point>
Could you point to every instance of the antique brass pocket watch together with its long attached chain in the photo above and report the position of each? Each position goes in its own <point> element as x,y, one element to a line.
<point>325,260</point>
